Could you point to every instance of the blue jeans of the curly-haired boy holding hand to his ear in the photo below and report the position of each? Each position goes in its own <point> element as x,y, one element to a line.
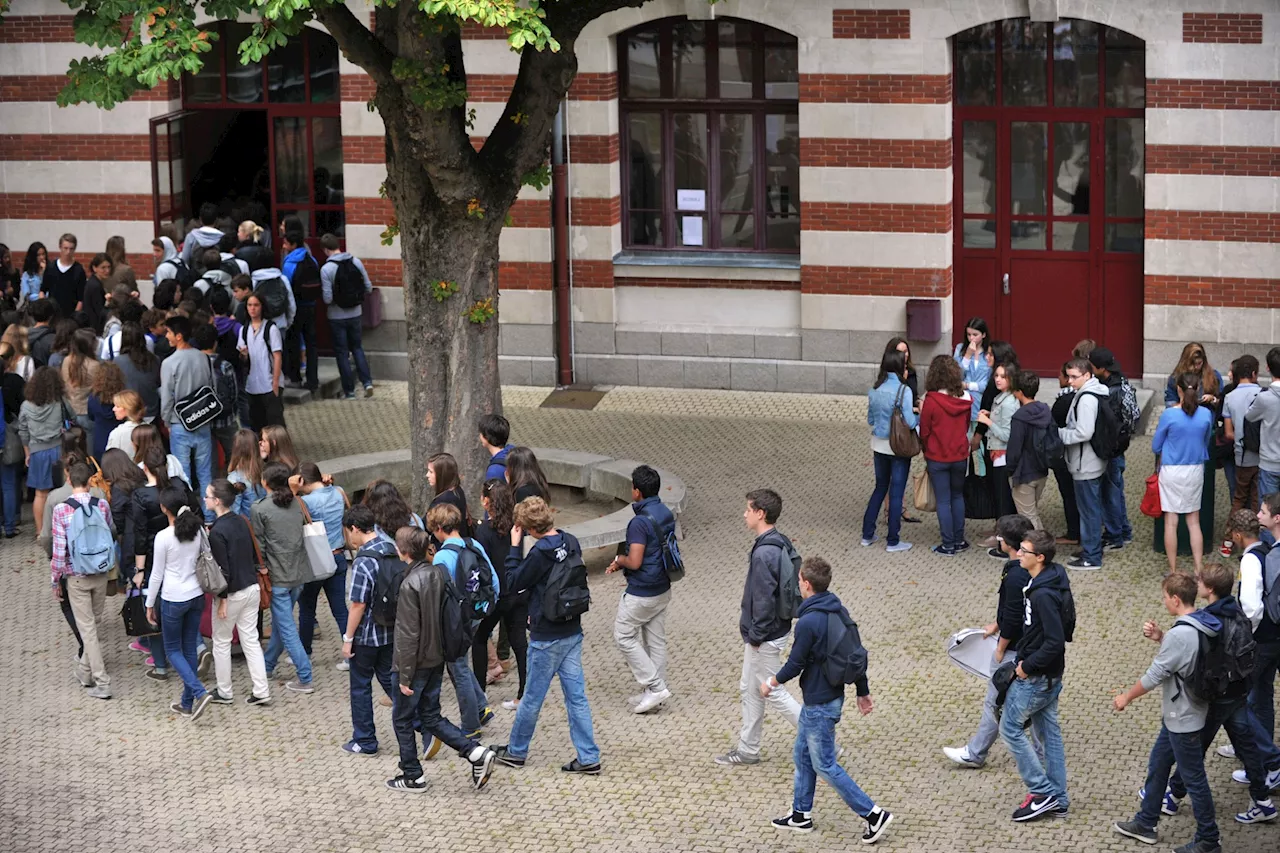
<point>563,658</point>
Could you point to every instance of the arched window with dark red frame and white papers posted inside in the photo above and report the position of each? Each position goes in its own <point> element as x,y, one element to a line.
<point>710,138</point>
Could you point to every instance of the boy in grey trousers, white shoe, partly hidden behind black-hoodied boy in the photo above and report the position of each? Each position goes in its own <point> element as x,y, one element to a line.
<point>1011,531</point>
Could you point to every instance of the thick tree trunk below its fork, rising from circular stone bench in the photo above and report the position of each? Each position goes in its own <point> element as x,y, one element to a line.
<point>452,362</point>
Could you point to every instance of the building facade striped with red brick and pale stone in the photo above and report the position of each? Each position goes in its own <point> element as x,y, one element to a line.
<point>758,189</point>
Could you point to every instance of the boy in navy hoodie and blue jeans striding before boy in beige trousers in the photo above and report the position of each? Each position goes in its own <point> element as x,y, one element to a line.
<point>828,655</point>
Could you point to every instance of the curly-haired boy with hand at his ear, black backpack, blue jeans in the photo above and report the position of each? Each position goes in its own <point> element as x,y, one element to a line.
<point>555,576</point>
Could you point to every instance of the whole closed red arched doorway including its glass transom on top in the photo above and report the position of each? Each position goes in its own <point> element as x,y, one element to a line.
<point>1049,188</point>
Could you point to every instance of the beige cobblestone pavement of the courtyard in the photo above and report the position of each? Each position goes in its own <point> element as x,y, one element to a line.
<point>126,776</point>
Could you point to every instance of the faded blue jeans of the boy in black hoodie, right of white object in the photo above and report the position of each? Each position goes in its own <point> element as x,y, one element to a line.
<point>1036,700</point>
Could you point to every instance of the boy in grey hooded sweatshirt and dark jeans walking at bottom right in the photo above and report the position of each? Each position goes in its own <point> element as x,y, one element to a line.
<point>1185,713</point>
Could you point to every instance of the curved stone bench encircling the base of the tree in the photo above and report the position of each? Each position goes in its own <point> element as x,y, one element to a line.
<point>589,475</point>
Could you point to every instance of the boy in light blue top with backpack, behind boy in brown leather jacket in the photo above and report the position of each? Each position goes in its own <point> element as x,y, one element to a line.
<point>478,583</point>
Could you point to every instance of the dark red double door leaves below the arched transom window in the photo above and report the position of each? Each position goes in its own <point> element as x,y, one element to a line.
<point>1049,230</point>
